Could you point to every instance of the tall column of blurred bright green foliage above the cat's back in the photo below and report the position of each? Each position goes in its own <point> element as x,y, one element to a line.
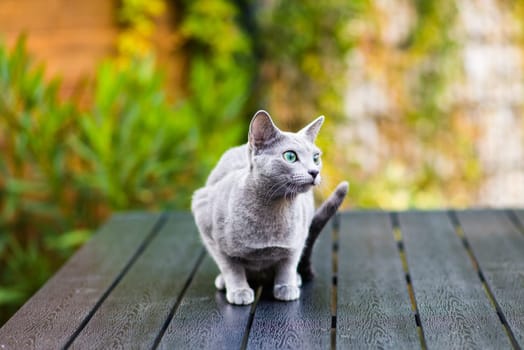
<point>220,76</point>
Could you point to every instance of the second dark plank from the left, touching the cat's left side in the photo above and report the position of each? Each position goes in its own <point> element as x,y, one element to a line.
<point>136,310</point>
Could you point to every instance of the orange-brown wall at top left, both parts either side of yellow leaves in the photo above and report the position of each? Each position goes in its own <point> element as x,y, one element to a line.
<point>71,37</point>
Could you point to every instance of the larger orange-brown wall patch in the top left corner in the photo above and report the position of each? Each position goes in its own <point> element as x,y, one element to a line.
<point>69,36</point>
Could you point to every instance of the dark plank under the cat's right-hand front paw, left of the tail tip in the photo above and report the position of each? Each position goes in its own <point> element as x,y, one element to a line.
<point>301,324</point>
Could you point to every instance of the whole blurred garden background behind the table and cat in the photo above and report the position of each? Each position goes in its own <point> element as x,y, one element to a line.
<point>127,104</point>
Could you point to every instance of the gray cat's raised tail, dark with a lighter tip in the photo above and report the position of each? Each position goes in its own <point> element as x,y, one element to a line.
<point>322,216</point>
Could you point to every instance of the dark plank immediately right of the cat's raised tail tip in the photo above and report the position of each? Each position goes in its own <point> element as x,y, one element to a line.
<point>373,308</point>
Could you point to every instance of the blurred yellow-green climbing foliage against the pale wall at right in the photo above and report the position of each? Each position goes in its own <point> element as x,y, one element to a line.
<point>424,152</point>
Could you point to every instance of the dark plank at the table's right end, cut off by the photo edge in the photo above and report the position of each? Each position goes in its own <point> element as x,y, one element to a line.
<point>499,249</point>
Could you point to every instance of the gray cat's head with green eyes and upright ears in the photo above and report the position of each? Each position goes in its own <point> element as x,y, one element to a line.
<point>288,163</point>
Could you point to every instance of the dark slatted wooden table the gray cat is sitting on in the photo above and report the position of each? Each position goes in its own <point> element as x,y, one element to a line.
<point>407,280</point>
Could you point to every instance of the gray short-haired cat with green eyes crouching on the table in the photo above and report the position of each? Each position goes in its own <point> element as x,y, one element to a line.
<point>256,212</point>
